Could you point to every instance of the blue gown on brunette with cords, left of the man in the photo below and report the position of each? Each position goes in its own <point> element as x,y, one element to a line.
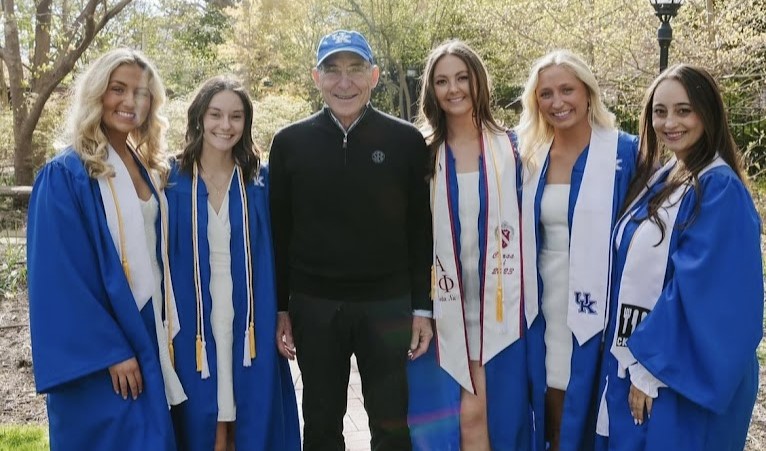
<point>267,414</point>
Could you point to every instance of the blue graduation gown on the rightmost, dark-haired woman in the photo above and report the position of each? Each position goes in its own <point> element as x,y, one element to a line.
<point>701,337</point>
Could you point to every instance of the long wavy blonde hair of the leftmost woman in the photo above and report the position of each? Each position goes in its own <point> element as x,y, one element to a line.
<point>84,130</point>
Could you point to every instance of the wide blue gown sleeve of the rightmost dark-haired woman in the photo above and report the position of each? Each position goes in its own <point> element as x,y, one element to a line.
<point>703,332</point>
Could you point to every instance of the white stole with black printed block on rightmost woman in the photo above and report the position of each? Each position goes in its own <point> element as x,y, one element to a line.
<point>643,277</point>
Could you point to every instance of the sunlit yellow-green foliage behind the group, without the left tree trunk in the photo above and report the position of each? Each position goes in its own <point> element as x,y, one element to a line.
<point>271,44</point>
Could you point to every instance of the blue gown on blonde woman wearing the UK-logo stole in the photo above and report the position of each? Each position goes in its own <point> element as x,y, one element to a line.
<point>580,401</point>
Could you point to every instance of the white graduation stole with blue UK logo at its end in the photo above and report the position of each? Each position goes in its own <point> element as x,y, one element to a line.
<point>590,234</point>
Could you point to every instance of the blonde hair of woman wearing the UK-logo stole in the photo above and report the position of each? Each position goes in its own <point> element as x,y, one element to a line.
<point>533,130</point>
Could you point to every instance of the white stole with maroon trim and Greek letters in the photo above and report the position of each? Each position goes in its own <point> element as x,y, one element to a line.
<point>501,294</point>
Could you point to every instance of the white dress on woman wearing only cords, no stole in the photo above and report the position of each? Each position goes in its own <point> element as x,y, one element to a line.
<point>222,315</point>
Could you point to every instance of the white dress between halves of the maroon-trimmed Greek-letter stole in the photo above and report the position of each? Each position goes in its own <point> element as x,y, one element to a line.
<point>468,204</point>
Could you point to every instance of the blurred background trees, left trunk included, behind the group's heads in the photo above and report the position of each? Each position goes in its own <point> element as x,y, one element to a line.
<point>271,45</point>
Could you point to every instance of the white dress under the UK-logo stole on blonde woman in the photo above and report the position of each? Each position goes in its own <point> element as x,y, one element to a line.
<point>554,271</point>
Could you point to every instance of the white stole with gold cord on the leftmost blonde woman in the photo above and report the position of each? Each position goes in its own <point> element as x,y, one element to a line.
<point>125,223</point>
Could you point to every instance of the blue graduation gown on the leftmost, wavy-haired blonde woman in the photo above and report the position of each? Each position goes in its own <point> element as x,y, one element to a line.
<point>84,319</point>
